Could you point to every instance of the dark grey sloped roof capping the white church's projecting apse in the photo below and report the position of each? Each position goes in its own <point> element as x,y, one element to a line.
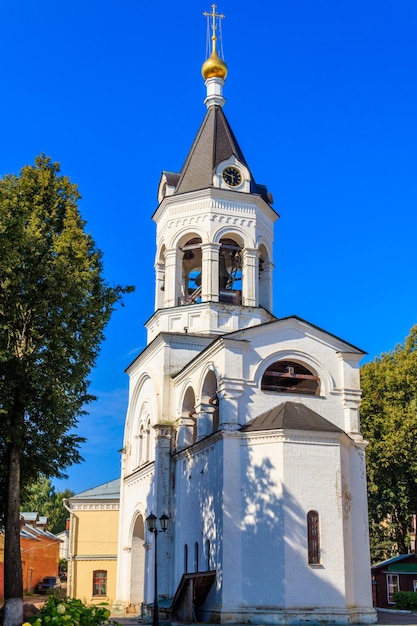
<point>292,416</point>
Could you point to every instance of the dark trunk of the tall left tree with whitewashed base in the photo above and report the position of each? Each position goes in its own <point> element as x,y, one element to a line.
<point>13,579</point>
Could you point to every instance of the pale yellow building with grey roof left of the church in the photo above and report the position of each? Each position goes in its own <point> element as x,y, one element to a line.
<point>92,557</point>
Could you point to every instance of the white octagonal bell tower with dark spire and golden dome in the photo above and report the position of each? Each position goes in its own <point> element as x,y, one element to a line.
<point>214,228</point>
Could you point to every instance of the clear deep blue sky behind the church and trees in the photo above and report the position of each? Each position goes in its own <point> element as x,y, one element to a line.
<point>322,98</point>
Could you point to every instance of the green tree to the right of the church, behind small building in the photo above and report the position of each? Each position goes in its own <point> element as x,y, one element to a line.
<point>389,423</point>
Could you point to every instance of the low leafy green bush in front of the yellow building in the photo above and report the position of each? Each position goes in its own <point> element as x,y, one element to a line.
<point>67,612</point>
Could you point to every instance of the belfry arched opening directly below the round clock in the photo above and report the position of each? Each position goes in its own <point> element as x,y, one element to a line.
<point>230,271</point>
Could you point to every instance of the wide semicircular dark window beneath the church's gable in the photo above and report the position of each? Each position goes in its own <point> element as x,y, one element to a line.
<point>290,377</point>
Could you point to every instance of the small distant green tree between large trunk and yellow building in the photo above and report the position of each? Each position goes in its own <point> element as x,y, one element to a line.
<point>42,498</point>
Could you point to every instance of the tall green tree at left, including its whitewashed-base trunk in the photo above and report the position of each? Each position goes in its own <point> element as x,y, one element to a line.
<point>54,306</point>
